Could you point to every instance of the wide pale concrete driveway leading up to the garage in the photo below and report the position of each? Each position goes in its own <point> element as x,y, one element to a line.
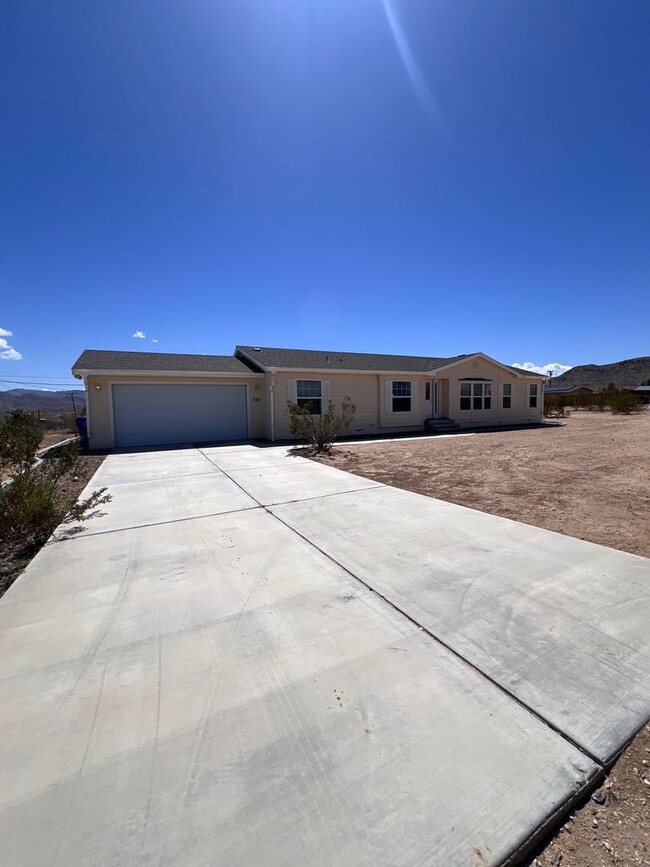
<point>253,659</point>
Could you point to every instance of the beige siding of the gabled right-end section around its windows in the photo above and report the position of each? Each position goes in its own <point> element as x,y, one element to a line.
<point>519,413</point>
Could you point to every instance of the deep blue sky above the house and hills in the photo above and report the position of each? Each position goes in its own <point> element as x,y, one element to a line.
<point>407,176</point>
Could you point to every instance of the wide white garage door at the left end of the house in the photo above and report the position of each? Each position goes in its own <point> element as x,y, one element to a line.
<point>166,414</point>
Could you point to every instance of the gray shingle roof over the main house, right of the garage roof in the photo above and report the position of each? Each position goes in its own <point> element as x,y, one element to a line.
<point>306,359</point>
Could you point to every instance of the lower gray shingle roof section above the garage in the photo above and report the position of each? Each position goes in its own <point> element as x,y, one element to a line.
<point>100,359</point>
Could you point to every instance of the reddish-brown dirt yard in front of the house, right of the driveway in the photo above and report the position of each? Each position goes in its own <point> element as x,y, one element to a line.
<point>589,478</point>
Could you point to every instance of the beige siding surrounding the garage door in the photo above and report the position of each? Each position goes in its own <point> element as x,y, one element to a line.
<point>98,402</point>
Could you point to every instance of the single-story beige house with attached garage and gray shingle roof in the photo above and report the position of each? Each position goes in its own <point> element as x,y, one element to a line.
<point>151,398</point>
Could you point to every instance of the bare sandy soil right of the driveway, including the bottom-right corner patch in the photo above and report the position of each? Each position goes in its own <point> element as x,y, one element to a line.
<point>589,478</point>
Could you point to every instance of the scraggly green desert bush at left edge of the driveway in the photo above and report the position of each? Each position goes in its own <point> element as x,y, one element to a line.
<point>34,500</point>
